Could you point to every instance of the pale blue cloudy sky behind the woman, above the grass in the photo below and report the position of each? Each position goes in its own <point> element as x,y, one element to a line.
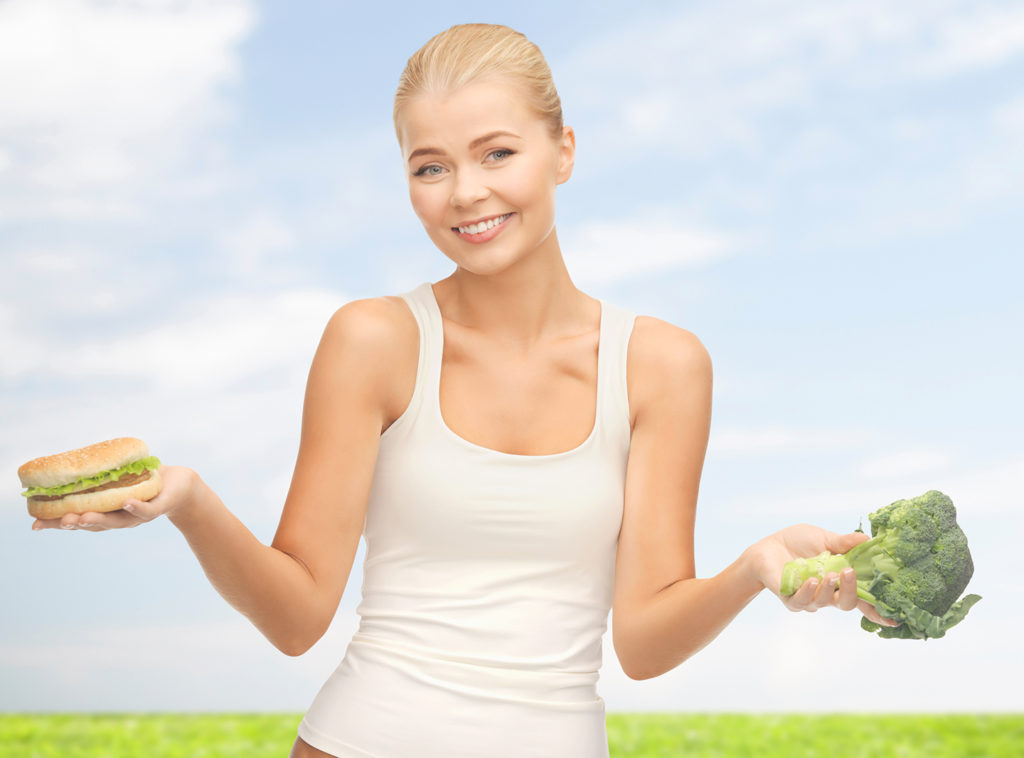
<point>828,195</point>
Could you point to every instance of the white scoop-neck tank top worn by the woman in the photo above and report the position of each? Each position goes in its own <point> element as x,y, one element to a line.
<point>488,582</point>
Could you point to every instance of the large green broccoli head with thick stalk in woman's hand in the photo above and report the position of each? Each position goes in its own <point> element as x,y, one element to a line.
<point>913,570</point>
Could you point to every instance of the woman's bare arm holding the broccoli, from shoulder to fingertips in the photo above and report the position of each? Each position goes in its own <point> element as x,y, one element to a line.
<point>662,613</point>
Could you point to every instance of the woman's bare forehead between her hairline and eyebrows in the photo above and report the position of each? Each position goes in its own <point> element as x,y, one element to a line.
<point>453,119</point>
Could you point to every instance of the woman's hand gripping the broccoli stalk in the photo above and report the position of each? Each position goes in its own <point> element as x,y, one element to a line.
<point>804,541</point>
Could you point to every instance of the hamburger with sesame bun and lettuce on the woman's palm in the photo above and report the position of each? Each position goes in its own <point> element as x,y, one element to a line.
<point>99,478</point>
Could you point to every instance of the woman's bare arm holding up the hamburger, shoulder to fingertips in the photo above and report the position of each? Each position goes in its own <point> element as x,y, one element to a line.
<point>290,589</point>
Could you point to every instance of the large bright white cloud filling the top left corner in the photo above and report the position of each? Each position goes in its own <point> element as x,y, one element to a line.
<point>118,93</point>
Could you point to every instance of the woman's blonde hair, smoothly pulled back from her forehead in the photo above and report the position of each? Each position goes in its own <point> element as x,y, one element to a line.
<point>470,52</point>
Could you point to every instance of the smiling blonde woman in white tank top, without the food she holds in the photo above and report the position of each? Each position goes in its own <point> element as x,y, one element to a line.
<point>522,458</point>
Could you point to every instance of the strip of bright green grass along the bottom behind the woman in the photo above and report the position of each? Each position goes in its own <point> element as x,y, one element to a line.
<point>647,736</point>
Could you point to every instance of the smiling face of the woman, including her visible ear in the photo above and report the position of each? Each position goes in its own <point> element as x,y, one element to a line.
<point>483,170</point>
